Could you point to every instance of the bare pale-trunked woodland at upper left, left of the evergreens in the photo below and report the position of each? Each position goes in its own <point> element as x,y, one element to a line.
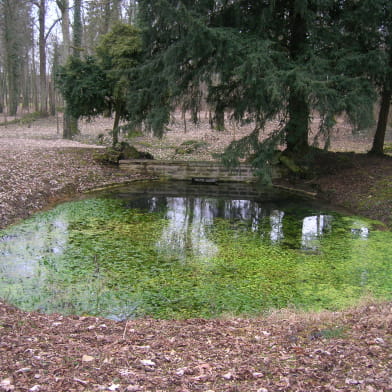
<point>36,36</point>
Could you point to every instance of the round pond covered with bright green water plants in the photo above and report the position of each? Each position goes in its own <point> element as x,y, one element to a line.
<point>183,250</point>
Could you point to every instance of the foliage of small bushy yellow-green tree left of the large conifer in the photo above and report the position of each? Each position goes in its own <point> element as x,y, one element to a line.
<point>97,85</point>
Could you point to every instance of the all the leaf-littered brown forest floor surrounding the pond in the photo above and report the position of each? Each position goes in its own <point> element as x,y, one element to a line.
<point>284,351</point>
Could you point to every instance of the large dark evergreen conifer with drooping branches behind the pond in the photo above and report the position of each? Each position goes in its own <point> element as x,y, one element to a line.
<point>260,60</point>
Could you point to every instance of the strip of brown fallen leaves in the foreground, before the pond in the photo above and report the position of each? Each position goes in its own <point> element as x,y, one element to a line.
<point>348,351</point>
